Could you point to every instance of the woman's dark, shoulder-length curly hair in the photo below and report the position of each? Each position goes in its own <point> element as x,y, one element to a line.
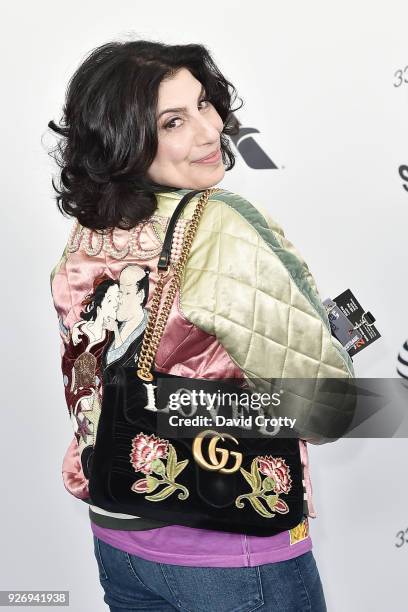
<point>108,129</point>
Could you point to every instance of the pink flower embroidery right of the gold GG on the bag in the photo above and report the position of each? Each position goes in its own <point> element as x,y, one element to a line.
<point>277,480</point>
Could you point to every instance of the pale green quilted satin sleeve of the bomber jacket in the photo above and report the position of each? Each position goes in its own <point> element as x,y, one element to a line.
<point>245,283</point>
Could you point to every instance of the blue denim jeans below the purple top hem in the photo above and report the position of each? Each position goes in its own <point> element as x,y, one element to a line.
<point>132,583</point>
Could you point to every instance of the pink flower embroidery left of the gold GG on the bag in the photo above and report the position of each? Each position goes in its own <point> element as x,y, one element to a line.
<point>147,456</point>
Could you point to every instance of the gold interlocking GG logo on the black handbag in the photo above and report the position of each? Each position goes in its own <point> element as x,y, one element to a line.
<point>216,464</point>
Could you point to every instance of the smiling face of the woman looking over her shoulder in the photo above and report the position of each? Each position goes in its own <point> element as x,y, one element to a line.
<point>184,136</point>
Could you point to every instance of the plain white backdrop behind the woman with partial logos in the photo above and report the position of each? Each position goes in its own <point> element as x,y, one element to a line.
<point>323,95</point>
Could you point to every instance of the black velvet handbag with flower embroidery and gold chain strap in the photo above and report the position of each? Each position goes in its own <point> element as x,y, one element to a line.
<point>203,476</point>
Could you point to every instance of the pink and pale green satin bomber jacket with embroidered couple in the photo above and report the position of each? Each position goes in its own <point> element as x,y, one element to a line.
<point>248,306</point>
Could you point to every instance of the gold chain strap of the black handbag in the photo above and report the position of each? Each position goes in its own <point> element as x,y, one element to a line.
<point>156,324</point>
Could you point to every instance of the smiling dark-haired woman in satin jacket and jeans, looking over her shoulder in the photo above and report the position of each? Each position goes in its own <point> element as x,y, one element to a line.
<point>144,123</point>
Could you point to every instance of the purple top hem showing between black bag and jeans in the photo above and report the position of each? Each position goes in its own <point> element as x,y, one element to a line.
<point>180,545</point>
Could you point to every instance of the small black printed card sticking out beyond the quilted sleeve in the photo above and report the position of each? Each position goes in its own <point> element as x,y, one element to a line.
<point>361,332</point>
